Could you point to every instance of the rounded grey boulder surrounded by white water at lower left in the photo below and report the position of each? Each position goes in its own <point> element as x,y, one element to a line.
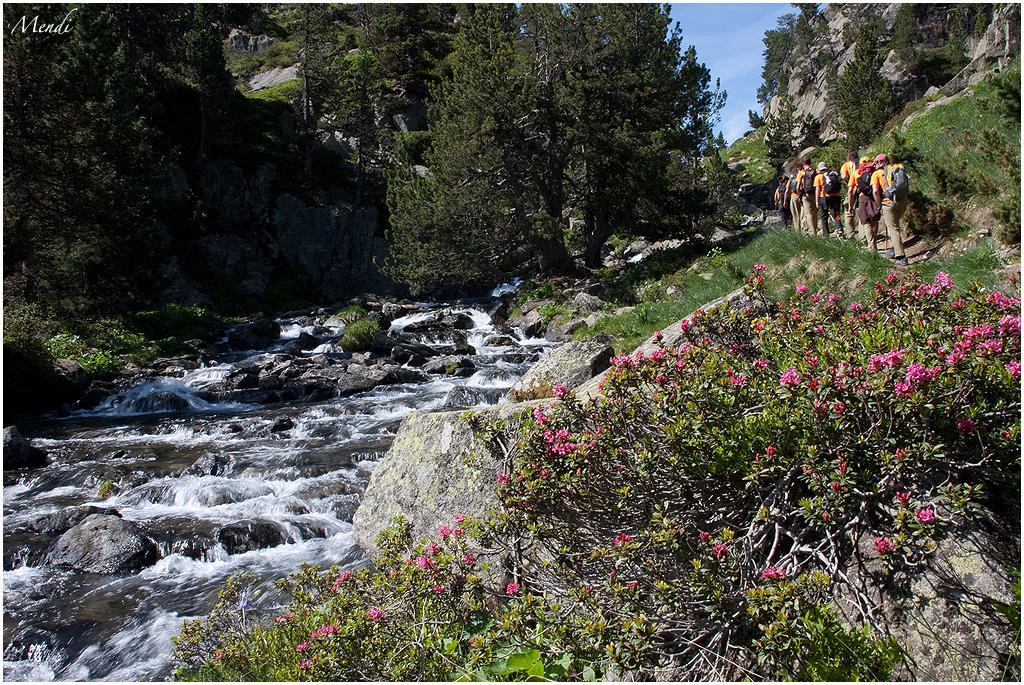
<point>104,544</point>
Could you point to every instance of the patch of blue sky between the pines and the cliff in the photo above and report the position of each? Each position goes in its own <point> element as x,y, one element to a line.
<point>729,40</point>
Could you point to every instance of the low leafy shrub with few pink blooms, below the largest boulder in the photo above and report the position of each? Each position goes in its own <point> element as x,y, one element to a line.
<point>423,614</point>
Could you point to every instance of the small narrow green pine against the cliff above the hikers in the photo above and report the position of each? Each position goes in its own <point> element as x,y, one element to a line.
<point>865,98</point>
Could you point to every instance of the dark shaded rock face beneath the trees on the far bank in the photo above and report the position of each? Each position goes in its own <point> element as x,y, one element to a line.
<point>261,230</point>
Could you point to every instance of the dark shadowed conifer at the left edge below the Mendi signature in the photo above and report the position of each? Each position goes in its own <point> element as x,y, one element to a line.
<point>77,224</point>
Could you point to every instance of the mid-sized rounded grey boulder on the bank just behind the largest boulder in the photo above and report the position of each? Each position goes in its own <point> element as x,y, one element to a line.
<point>572,365</point>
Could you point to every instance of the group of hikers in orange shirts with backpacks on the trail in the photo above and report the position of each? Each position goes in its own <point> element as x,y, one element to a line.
<point>865,192</point>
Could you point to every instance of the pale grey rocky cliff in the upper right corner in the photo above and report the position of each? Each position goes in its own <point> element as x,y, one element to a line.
<point>834,42</point>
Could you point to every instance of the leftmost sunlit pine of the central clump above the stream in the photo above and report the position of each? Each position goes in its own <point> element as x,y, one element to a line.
<point>470,215</point>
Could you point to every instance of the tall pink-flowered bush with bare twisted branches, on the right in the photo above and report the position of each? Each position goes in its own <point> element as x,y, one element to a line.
<point>772,445</point>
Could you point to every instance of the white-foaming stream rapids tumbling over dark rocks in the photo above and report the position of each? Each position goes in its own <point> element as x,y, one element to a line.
<point>218,470</point>
